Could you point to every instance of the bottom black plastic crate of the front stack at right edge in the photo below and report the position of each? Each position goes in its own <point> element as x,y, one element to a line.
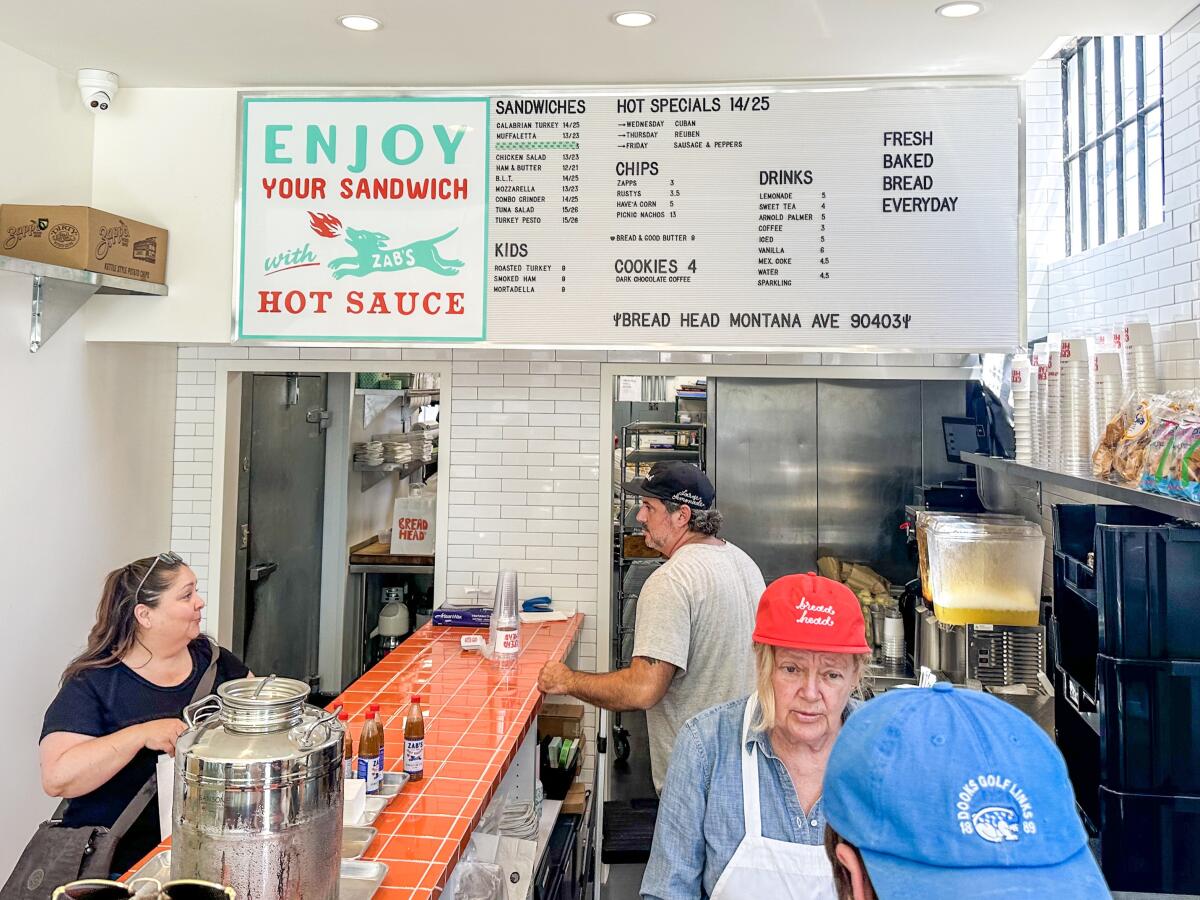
<point>1149,843</point>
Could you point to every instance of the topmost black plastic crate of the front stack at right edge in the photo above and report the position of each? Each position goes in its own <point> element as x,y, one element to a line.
<point>1149,592</point>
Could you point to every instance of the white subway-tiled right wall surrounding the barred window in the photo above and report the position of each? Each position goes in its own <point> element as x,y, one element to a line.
<point>1153,274</point>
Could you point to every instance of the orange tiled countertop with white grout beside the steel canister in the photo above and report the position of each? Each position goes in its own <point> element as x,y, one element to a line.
<point>477,715</point>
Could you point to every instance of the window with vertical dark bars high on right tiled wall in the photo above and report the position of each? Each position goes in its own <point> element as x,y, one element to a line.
<point>1112,139</point>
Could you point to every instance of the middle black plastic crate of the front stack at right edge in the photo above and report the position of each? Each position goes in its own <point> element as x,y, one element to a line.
<point>1150,725</point>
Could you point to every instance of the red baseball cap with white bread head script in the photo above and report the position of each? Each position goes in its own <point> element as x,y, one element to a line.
<point>811,613</point>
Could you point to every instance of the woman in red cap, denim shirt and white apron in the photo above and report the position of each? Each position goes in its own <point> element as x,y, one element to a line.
<point>741,813</point>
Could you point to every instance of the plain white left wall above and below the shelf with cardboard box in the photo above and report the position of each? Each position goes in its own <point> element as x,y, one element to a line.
<point>86,461</point>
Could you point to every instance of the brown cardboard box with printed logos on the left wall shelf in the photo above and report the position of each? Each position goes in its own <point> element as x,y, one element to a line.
<point>85,238</point>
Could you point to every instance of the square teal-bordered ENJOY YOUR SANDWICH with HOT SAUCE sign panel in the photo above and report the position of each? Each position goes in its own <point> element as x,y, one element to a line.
<point>363,219</point>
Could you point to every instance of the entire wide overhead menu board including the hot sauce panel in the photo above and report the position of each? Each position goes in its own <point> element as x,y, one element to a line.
<point>761,218</point>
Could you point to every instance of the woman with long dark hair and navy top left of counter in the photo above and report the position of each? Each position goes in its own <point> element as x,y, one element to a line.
<point>121,701</point>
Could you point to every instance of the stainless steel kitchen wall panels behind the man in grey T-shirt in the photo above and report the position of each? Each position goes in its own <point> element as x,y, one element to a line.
<point>808,469</point>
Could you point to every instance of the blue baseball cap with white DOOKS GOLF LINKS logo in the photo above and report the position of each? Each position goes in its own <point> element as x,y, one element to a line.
<point>953,794</point>
